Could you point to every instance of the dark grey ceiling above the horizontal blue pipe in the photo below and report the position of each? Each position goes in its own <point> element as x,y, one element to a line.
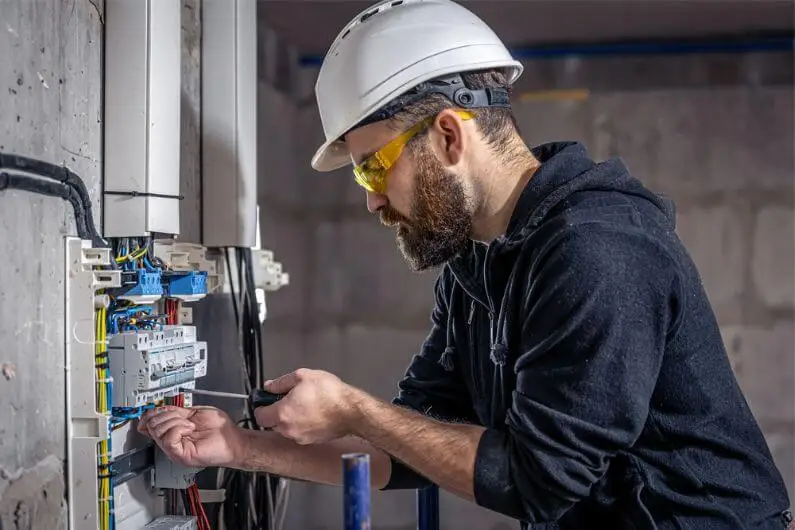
<point>311,25</point>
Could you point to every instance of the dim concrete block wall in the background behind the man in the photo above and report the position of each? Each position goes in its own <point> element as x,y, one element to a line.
<point>719,143</point>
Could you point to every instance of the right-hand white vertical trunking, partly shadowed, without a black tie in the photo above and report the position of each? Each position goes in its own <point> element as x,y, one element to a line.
<point>229,123</point>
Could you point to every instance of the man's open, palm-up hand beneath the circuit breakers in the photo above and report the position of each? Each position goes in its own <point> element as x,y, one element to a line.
<point>193,437</point>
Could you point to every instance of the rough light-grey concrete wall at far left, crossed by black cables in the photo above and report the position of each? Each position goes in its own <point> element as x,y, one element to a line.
<point>50,53</point>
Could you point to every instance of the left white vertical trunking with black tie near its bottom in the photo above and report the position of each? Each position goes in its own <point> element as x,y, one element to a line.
<point>142,117</point>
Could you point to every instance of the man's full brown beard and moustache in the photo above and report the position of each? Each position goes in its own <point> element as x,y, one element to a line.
<point>440,223</point>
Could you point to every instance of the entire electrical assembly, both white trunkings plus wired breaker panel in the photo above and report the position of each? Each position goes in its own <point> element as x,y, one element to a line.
<point>130,343</point>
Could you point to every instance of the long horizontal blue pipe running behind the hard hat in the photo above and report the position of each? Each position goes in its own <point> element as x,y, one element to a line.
<point>760,44</point>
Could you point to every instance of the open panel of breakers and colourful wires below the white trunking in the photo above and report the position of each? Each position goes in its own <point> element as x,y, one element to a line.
<point>127,337</point>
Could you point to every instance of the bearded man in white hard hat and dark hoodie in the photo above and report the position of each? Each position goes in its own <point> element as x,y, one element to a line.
<point>574,374</point>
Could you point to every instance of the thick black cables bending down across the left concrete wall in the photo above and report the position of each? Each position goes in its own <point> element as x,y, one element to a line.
<point>67,186</point>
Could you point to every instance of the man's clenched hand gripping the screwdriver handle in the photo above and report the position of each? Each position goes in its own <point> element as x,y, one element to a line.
<point>317,407</point>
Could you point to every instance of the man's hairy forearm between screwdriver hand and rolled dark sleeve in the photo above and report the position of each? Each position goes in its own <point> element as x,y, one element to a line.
<point>442,452</point>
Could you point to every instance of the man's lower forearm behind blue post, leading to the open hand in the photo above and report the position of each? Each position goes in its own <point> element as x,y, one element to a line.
<point>271,453</point>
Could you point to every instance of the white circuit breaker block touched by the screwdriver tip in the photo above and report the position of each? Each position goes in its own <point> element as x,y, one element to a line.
<point>148,366</point>
